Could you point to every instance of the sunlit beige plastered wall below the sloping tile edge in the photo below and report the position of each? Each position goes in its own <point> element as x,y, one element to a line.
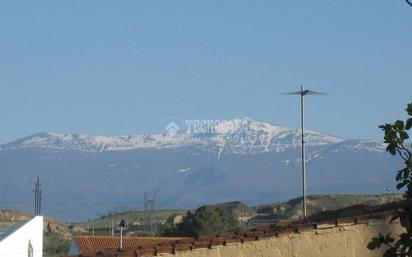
<point>346,241</point>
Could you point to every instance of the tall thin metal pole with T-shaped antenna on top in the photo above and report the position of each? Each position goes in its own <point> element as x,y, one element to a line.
<point>303,93</point>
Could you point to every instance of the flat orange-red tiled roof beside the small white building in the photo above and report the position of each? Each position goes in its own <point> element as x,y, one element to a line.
<point>95,244</point>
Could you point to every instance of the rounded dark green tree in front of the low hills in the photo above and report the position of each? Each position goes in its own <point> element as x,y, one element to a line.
<point>207,220</point>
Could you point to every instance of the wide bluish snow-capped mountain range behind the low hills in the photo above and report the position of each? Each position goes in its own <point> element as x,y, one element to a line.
<point>84,176</point>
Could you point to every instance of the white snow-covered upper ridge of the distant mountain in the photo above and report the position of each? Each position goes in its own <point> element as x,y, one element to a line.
<point>240,135</point>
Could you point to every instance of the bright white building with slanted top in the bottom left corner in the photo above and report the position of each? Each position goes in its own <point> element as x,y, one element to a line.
<point>22,239</point>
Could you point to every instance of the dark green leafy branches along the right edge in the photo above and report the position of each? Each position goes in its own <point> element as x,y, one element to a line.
<point>396,136</point>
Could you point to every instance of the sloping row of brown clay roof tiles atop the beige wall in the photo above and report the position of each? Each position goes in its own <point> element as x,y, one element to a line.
<point>323,220</point>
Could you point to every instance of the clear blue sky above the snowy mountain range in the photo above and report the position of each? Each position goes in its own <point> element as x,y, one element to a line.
<point>123,67</point>
